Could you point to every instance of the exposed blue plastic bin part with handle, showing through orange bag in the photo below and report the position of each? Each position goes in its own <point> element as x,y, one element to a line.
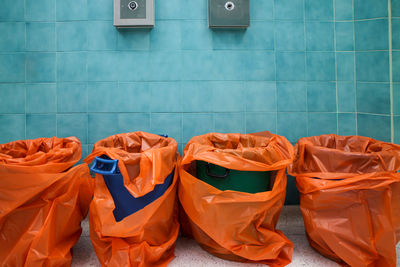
<point>125,203</point>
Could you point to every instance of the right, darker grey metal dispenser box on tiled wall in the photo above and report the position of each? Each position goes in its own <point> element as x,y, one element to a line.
<point>229,13</point>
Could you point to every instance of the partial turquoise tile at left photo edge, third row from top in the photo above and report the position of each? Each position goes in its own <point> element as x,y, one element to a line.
<point>12,67</point>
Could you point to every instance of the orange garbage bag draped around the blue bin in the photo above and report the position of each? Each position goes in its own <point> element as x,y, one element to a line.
<point>146,237</point>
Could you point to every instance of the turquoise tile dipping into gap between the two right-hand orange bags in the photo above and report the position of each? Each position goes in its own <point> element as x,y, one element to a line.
<point>292,125</point>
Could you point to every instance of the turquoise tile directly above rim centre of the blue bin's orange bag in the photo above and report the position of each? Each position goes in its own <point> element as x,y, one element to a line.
<point>133,122</point>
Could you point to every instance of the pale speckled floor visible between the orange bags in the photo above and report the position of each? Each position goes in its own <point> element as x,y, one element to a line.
<point>188,253</point>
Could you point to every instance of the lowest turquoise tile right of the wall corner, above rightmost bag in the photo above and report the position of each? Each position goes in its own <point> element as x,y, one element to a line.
<point>374,126</point>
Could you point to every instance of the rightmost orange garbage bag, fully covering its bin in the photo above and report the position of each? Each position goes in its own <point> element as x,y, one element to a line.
<point>350,197</point>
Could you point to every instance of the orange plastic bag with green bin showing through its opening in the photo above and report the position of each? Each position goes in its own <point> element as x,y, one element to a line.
<point>236,225</point>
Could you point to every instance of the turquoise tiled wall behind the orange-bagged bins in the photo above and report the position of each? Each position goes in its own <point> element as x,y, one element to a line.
<point>303,67</point>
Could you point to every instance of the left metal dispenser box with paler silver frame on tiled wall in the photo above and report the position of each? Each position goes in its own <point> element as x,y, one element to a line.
<point>133,13</point>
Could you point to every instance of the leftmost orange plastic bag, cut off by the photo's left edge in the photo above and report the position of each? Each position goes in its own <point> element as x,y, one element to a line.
<point>42,201</point>
